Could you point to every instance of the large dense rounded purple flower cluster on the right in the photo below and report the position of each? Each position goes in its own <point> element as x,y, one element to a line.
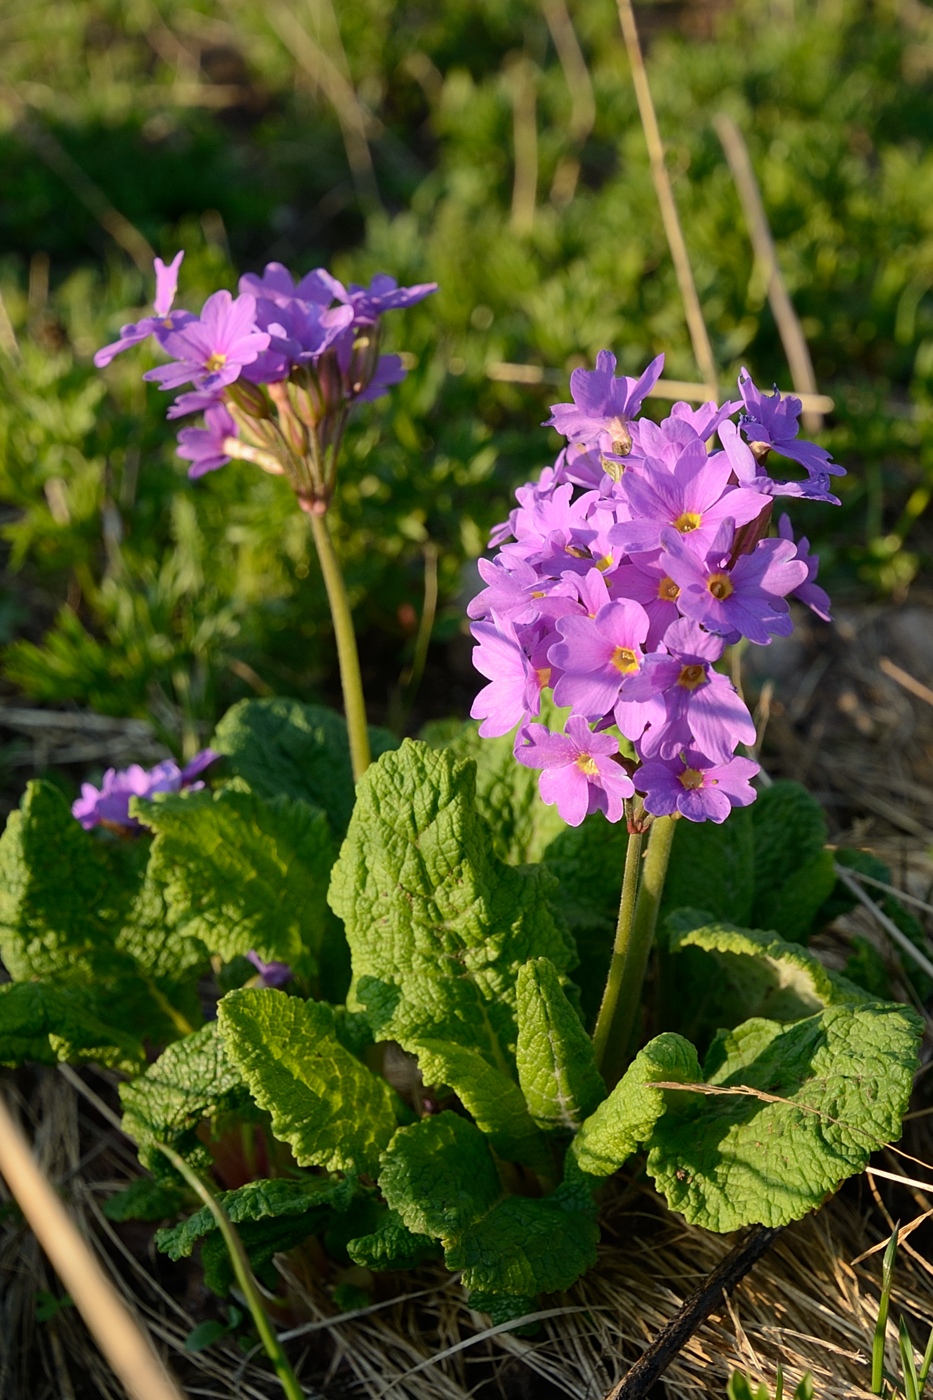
<point>620,580</point>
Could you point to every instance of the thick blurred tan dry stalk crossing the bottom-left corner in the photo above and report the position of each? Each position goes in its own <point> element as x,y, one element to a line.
<point>118,1336</point>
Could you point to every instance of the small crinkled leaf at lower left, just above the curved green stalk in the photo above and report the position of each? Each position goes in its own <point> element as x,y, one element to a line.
<point>193,1081</point>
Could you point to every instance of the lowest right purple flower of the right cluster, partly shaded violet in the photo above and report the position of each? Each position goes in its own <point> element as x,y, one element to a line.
<point>696,787</point>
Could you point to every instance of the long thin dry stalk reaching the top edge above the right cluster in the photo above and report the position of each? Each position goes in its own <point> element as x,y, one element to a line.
<point>700,337</point>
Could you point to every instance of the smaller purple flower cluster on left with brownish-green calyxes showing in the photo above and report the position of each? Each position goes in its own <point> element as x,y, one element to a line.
<point>274,370</point>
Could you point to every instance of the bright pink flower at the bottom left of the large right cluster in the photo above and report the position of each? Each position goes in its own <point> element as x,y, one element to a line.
<point>579,773</point>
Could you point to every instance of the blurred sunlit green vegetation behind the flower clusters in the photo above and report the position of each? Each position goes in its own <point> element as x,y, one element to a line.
<point>495,148</point>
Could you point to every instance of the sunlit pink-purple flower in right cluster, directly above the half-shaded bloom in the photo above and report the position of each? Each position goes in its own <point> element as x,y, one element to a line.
<point>694,499</point>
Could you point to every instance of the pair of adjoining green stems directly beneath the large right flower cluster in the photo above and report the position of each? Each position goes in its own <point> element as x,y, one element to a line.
<point>634,939</point>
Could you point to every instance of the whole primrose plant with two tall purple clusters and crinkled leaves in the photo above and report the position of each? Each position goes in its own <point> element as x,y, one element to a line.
<point>431,1037</point>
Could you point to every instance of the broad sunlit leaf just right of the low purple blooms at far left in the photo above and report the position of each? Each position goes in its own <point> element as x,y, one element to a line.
<point>243,873</point>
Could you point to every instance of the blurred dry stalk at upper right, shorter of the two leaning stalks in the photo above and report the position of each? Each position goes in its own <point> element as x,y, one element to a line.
<point>789,328</point>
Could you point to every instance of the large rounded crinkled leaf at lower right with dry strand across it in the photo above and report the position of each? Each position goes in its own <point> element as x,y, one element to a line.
<point>844,1077</point>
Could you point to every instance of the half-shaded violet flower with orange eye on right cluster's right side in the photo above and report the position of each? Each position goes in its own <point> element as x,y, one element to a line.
<point>749,597</point>
